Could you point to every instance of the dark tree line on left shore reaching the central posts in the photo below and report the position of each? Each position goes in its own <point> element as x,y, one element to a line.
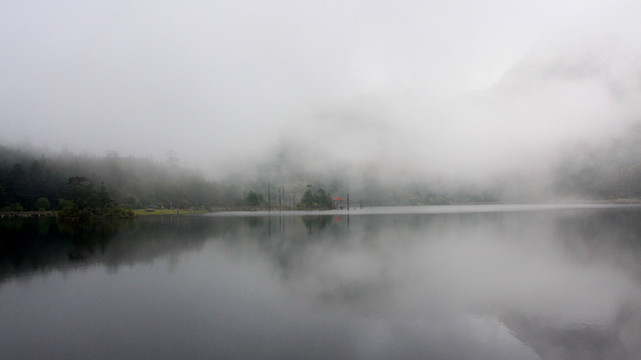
<point>30,182</point>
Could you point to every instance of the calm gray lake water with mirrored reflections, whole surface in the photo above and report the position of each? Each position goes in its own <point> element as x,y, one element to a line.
<point>451,282</point>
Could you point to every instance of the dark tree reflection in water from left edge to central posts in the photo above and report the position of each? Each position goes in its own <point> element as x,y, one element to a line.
<point>28,245</point>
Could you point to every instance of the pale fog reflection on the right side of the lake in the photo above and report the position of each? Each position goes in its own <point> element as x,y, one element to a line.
<point>522,269</point>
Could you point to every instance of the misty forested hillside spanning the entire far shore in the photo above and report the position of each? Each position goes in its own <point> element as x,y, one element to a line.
<point>33,179</point>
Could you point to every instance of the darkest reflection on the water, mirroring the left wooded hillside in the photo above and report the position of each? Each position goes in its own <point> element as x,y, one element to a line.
<point>30,245</point>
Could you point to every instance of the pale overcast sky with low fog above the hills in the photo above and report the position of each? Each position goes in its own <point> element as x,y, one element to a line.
<point>449,85</point>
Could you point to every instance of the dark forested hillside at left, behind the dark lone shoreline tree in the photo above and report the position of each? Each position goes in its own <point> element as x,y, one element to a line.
<point>32,181</point>
